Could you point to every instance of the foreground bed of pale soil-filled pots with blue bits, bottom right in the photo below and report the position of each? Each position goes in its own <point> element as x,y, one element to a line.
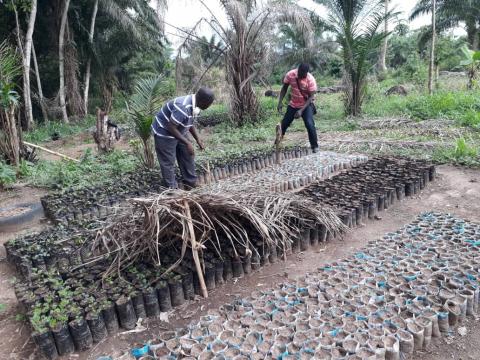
<point>386,301</point>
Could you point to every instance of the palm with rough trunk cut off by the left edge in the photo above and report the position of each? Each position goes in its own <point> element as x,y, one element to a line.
<point>9,101</point>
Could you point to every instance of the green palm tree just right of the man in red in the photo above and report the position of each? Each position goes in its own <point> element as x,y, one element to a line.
<point>356,23</point>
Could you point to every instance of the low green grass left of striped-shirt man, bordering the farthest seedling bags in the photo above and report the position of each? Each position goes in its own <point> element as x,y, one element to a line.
<point>91,170</point>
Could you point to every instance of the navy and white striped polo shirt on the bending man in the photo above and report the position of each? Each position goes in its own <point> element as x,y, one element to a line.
<point>179,111</point>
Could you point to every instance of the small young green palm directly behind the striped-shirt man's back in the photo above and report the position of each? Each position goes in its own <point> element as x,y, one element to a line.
<point>142,107</point>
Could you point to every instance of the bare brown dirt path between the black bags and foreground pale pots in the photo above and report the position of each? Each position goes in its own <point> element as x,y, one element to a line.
<point>456,191</point>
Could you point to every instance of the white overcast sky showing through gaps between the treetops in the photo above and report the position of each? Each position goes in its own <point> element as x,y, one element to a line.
<point>185,13</point>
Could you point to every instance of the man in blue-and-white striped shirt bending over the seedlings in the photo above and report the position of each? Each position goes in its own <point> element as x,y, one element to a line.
<point>170,129</point>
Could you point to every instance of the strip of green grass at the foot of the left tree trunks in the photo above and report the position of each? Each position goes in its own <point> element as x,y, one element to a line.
<point>44,132</point>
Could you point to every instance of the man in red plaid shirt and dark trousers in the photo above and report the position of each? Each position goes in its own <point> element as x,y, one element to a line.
<point>304,87</point>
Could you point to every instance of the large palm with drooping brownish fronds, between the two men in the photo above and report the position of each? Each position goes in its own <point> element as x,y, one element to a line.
<point>248,46</point>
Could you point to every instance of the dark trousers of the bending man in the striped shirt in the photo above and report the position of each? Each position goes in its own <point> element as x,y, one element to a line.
<point>168,150</point>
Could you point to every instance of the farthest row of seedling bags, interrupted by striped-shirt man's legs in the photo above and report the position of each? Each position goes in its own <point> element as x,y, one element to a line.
<point>93,202</point>
